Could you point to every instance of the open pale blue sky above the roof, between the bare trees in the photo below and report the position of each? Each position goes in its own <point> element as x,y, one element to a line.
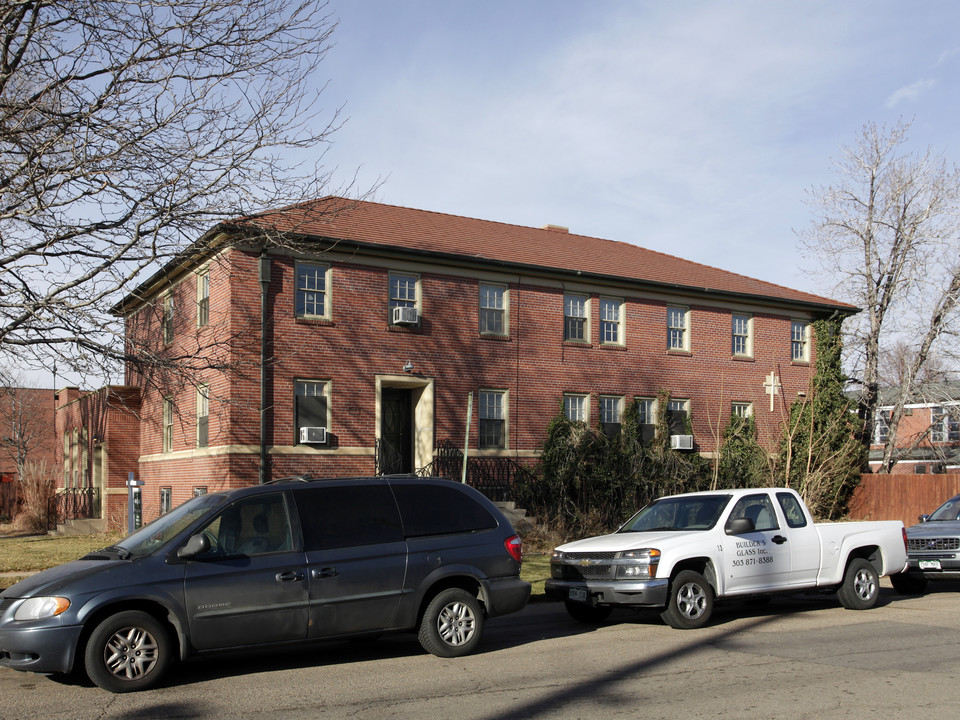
<point>692,128</point>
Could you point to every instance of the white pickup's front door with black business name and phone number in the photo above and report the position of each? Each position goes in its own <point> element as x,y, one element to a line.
<point>758,560</point>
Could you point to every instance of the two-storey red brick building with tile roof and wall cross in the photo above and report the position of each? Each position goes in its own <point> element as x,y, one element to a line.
<point>376,324</point>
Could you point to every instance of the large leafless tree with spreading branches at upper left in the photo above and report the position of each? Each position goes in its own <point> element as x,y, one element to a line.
<point>127,129</point>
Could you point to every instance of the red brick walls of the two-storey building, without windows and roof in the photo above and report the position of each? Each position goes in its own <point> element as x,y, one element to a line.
<point>533,364</point>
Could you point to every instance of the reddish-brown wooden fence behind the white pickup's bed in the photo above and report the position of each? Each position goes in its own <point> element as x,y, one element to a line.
<point>901,497</point>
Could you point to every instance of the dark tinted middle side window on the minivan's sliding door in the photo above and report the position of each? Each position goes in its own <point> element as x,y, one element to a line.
<point>347,516</point>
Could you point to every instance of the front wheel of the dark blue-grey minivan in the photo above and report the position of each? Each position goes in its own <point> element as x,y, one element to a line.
<point>128,651</point>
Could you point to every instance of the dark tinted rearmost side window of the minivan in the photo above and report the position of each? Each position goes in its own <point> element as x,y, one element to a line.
<point>439,510</point>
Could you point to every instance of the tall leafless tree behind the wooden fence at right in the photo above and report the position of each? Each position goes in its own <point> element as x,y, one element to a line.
<point>888,234</point>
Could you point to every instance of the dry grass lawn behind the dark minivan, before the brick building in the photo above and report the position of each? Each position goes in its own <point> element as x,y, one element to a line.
<point>29,553</point>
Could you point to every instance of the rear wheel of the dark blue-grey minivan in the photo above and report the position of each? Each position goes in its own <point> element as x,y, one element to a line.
<point>451,624</point>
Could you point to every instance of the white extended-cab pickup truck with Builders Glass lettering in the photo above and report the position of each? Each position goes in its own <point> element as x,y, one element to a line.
<point>681,551</point>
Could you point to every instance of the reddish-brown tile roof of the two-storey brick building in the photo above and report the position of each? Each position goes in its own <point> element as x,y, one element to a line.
<point>408,229</point>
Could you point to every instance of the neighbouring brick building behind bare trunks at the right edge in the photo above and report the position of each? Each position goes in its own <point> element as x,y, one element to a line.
<point>928,434</point>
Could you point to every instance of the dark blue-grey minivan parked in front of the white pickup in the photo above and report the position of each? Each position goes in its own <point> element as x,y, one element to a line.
<point>292,561</point>
